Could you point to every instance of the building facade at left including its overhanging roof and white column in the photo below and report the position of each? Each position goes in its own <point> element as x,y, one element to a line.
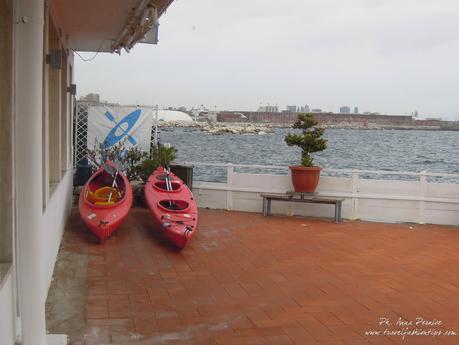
<point>37,40</point>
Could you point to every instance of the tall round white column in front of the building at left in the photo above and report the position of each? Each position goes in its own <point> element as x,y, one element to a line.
<point>28,169</point>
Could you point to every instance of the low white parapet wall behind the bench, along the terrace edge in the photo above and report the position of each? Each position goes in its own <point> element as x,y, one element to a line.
<point>365,199</point>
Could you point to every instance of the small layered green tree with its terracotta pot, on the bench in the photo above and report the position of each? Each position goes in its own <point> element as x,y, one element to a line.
<point>306,176</point>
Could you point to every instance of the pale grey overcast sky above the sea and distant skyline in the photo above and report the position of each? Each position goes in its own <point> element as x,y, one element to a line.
<point>389,56</point>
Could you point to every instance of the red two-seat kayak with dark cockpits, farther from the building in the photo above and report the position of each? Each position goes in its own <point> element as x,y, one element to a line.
<point>172,206</point>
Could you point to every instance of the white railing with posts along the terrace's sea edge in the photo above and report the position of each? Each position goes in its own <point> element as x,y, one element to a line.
<point>417,193</point>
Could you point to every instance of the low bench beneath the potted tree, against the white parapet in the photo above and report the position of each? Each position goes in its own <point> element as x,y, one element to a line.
<point>301,197</point>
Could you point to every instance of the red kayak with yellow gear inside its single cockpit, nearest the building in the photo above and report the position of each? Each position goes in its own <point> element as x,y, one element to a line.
<point>105,201</point>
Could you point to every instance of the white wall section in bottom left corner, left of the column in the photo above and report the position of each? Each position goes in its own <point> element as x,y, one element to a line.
<point>6,311</point>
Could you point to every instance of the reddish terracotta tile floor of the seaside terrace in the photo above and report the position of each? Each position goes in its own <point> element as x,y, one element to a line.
<point>248,279</point>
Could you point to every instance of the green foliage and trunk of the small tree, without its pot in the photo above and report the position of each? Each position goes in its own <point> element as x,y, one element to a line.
<point>310,140</point>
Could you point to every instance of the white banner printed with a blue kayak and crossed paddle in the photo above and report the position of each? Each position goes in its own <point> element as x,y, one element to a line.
<point>110,125</point>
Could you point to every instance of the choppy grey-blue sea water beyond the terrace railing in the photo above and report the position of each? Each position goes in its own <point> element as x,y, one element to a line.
<point>389,150</point>
